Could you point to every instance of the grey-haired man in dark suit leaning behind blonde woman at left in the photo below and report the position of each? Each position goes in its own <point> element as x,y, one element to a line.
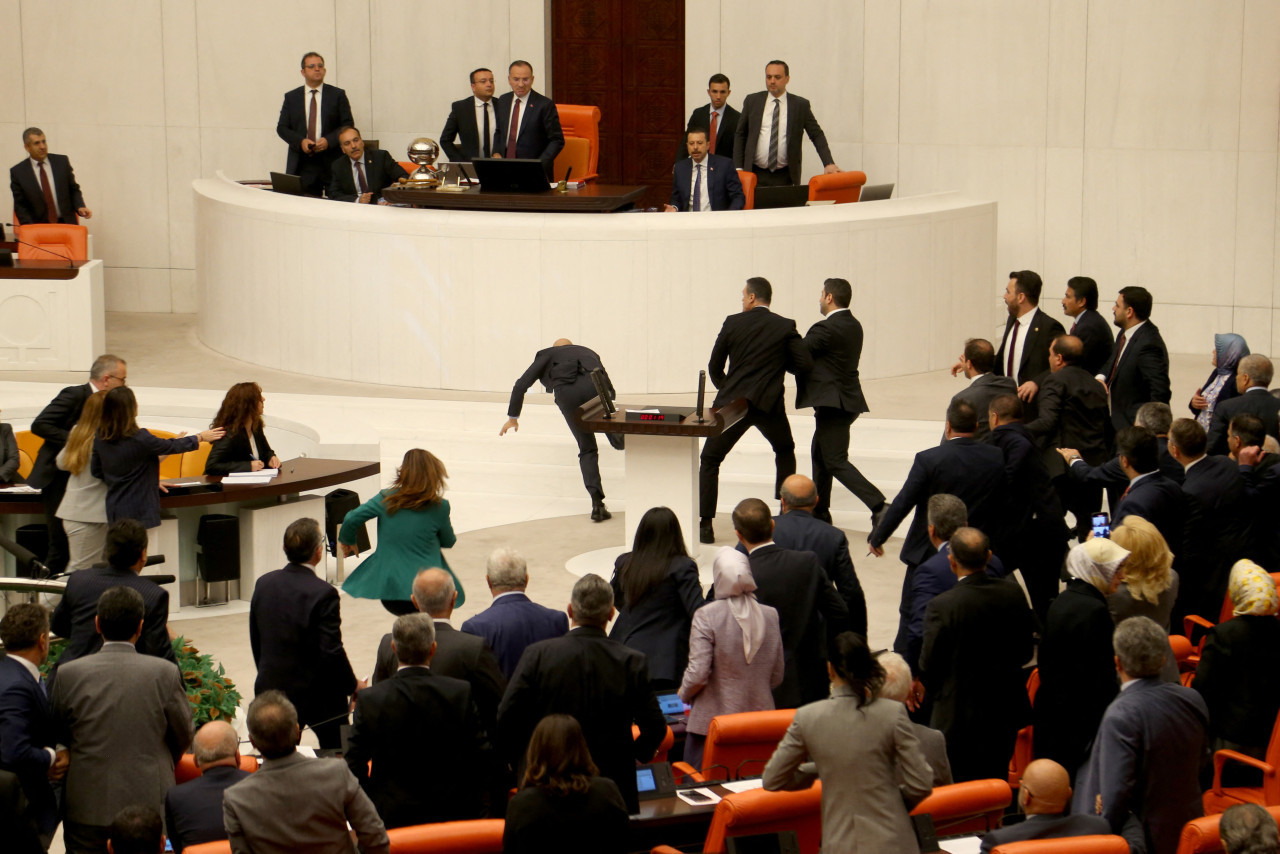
<point>54,426</point>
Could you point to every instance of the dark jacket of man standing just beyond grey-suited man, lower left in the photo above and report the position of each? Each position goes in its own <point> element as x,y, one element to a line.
<point>74,618</point>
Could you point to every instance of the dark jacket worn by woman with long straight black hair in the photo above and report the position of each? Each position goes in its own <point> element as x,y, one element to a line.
<point>659,624</point>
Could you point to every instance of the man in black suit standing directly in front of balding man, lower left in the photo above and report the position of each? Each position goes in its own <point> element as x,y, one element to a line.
<point>418,720</point>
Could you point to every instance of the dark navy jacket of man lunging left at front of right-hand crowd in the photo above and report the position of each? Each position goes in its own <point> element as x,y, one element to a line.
<point>971,472</point>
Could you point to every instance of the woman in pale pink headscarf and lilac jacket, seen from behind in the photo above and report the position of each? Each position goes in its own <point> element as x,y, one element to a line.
<point>735,654</point>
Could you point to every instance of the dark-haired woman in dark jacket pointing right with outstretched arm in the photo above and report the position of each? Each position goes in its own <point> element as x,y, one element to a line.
<point>127,459</point>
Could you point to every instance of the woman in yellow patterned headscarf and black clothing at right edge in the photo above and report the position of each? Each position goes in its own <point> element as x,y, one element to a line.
<point>1240,670</point>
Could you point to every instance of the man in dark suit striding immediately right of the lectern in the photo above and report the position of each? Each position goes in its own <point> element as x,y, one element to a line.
<point>760,348</point>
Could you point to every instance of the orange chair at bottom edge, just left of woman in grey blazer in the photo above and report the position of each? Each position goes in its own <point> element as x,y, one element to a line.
<point>765,812</point>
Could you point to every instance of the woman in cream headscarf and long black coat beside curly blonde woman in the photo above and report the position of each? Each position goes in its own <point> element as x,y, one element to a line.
<point>1077,661</point>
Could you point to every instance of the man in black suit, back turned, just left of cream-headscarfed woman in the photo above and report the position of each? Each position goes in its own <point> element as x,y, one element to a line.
<point>979,636</point>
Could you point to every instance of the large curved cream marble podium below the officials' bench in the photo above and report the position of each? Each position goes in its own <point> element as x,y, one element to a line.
<point>461,300</point>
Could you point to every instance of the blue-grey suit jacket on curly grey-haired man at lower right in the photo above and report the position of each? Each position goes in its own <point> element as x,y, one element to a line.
<point>1146,762</point>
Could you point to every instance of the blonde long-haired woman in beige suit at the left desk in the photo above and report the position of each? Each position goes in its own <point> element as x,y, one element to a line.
<point>84,506</point>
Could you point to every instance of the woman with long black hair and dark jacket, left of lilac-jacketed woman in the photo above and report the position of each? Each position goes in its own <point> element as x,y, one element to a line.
<point>656,591</point>
